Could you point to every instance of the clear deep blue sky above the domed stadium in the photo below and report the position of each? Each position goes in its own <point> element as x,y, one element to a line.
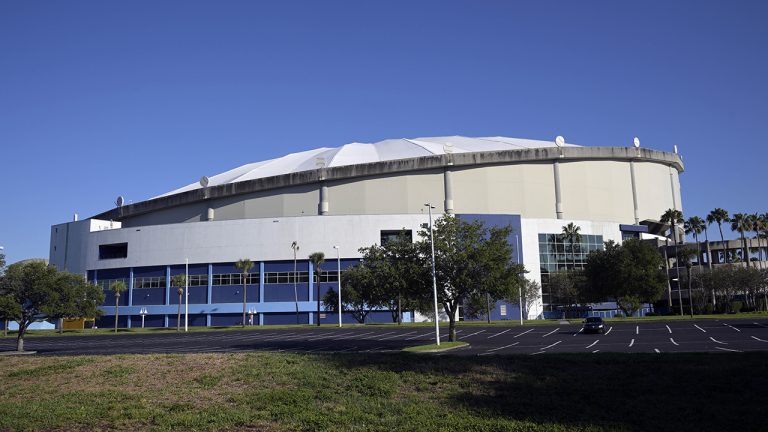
<point>100,99</point>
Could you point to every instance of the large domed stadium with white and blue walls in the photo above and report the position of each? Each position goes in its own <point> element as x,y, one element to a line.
<point>354,196</point>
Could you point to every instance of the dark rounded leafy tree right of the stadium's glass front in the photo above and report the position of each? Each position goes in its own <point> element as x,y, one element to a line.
<point>630,273</point>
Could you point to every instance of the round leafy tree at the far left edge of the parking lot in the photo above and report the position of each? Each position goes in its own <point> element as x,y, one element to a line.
<point>33,291</point>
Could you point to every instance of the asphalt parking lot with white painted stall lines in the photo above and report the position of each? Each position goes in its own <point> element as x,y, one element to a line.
<point>721,336</point>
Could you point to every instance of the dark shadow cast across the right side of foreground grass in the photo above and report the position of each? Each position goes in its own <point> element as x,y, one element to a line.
<point>681,392</point>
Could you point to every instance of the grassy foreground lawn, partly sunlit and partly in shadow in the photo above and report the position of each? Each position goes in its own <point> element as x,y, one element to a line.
<point>359,392</point>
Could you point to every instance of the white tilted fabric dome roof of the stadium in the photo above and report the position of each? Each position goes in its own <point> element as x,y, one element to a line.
<point>360,153</point>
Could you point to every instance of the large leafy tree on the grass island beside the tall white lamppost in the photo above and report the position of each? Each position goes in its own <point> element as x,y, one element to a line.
<point>470,261</point>
